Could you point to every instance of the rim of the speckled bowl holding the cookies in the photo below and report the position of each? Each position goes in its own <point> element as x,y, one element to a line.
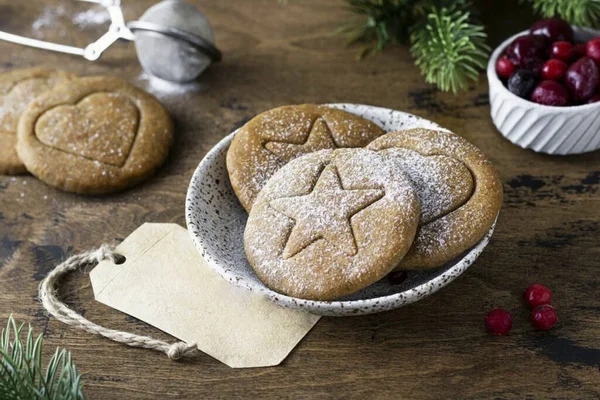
<point>328,307</point>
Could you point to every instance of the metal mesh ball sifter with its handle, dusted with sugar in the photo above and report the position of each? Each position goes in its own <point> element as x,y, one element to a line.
<point>173,40</point>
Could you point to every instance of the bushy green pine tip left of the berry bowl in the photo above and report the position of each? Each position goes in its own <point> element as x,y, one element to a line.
<point>450,49</point>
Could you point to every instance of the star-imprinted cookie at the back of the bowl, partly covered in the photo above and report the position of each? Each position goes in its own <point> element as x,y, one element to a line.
<point>275,137</point>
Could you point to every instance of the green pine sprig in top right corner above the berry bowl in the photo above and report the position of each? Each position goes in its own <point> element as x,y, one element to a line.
<point>576,12</point>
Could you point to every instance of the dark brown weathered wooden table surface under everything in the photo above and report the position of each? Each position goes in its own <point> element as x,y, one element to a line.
<point>278,54</point>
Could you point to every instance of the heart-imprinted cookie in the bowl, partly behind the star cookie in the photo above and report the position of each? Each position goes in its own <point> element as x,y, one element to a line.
<point>459,190</point>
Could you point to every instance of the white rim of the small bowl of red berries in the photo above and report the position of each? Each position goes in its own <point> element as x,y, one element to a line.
<point>493,78</point>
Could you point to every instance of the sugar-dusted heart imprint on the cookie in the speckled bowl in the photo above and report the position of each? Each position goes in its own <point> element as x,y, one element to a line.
<point>443,183</point>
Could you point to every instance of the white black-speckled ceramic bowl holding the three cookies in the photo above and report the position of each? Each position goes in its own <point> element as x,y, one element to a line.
<point>216,222</point>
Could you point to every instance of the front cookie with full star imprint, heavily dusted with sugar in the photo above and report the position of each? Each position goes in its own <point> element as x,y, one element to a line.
<point>330,223</point>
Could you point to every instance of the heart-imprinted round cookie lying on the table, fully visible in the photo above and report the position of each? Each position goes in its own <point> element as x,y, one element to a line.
<point>94,136</point>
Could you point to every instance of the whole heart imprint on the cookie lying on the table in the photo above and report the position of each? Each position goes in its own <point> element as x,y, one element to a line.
<point>101,127</point>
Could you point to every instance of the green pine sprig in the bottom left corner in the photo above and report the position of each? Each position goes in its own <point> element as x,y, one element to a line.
<point>21,372</point>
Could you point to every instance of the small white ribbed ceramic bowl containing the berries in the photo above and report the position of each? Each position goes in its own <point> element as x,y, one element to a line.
<point>545,129</point>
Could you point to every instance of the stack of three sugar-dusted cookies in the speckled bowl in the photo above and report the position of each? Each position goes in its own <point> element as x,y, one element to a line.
<point>335,203</point>
